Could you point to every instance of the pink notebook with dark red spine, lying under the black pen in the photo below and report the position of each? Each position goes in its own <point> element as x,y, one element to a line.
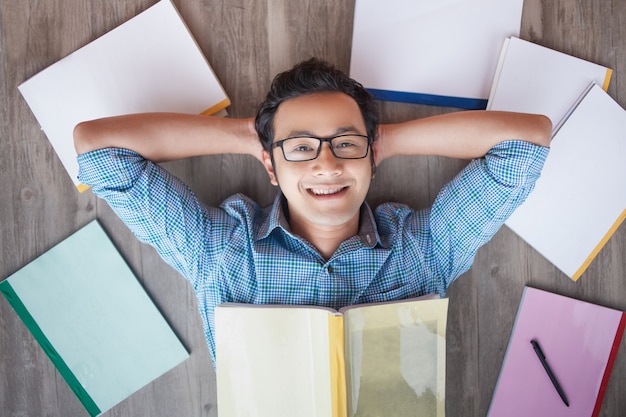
<point>579,341</point>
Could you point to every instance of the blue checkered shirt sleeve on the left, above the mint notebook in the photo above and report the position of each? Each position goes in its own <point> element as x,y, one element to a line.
<point>156,206</point>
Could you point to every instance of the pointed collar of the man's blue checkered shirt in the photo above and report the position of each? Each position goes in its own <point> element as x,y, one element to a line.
<point>277,218</point>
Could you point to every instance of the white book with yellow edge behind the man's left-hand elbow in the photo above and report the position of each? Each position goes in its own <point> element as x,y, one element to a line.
<point>150,63</point>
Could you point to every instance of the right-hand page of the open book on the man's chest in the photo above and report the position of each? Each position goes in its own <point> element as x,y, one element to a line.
<point>396,357</point>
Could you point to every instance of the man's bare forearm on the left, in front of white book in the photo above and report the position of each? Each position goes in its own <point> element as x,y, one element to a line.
<point>163,137</point>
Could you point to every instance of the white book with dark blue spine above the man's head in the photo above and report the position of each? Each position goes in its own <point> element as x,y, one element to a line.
<point>442,52</point>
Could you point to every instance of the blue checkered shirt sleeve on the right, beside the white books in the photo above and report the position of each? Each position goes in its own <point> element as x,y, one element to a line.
<point>472,207</point>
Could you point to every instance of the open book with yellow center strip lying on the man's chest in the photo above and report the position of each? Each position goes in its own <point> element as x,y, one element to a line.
<point>378,359</point>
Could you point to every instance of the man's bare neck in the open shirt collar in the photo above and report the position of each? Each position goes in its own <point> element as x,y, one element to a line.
<point>326,239</point>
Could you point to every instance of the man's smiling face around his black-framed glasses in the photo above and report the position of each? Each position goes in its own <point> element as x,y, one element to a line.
<point>326,193</point>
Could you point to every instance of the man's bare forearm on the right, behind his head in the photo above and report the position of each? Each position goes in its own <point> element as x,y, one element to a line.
<point>467,135</point>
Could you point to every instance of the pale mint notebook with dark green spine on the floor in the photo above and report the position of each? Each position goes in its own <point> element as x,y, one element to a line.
<point>85,307</point>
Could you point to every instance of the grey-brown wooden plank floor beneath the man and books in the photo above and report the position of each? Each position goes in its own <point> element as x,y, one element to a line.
<point>247,42</point>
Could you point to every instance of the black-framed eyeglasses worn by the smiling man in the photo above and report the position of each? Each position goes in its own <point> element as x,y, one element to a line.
<point>307,148</point>
